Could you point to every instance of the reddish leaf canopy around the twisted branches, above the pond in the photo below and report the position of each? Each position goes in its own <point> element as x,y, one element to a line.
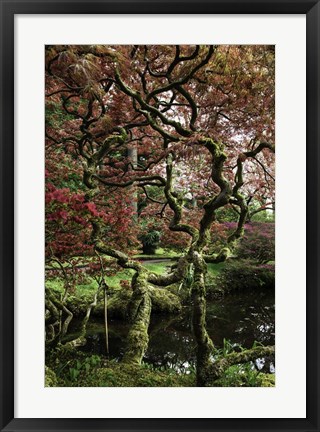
<point>233,95</point>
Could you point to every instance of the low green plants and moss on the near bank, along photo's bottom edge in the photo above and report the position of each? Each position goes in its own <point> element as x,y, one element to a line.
<point>68,367</point>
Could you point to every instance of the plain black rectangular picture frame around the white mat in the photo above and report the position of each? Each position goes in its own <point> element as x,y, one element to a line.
<point>8,10</point>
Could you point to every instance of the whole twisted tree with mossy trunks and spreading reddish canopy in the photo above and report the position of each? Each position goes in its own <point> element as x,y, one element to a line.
<point>150,141</point>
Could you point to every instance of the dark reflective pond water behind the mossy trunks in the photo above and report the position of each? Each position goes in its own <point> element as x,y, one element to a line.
<point>240,318</point>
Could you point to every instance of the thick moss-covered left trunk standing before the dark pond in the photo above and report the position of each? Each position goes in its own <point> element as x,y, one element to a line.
<point>139,313</point>
